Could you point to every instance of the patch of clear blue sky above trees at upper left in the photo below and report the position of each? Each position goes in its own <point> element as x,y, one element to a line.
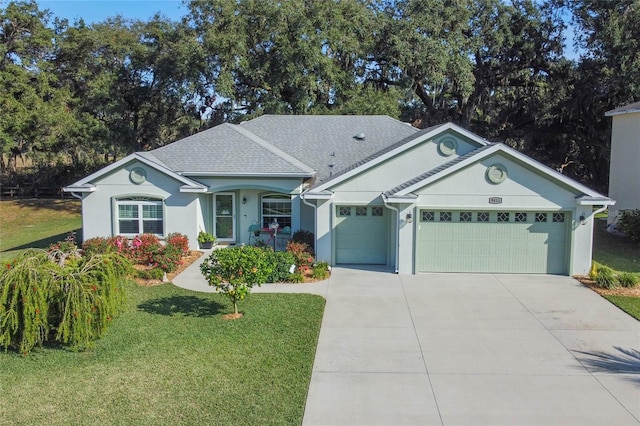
<point>99,10</point>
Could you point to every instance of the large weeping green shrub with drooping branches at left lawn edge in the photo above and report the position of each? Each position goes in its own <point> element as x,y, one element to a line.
<point>73,304</point>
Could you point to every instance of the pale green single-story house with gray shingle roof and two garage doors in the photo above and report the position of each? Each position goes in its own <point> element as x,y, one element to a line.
<point>373,190</point>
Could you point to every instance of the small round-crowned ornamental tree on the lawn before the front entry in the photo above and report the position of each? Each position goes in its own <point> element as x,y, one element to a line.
<point>234,271</point>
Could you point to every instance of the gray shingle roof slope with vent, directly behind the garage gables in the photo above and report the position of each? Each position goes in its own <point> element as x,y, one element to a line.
<point>322,140</point>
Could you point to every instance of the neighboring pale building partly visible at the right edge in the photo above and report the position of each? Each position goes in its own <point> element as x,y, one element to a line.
<point>624,173</point>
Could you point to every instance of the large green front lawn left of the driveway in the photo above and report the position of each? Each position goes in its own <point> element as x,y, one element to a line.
<point>172,359</point>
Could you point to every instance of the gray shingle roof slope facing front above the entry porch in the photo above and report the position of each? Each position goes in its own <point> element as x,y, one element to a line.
<point>228,149</point>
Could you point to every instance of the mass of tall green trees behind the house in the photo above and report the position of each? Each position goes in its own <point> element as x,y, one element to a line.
<point>76,96</point>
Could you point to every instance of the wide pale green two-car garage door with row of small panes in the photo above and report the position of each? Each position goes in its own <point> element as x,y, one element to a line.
<point>492,241</point>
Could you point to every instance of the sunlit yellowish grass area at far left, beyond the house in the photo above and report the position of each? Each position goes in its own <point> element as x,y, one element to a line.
<point>36,223</point>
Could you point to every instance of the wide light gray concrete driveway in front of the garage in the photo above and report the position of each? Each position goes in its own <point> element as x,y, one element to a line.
<point>461,349</point>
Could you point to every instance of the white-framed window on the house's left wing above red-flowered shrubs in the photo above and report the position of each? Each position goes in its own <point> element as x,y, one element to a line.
<point>139,215</point>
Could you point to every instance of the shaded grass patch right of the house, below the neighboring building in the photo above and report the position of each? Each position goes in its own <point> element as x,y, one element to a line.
<point>615,251</point>
